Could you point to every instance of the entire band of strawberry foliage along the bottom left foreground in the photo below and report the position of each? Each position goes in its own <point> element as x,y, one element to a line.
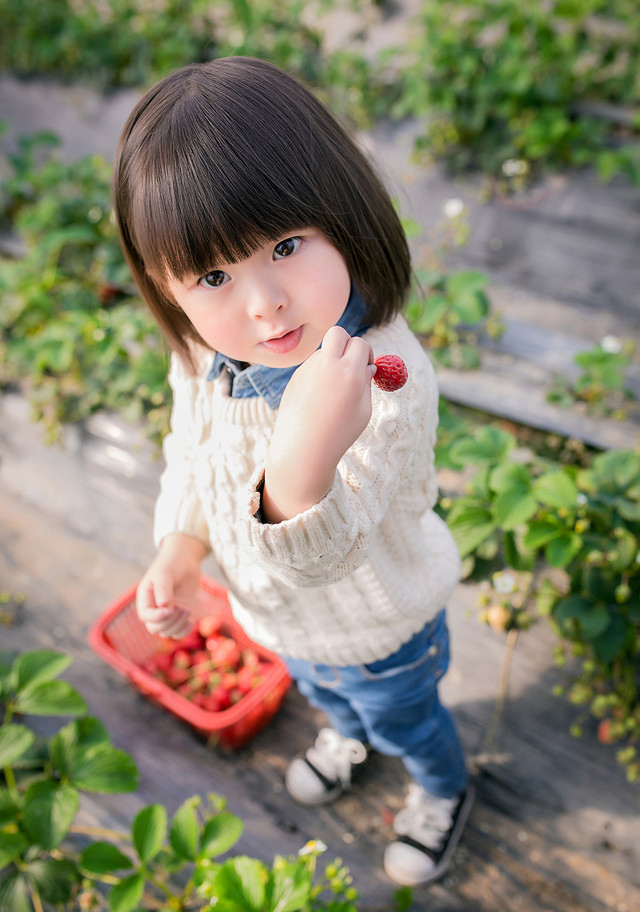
<point>49,860</point>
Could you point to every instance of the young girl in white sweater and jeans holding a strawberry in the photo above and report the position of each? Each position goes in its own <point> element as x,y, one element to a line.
<point>273,259</point>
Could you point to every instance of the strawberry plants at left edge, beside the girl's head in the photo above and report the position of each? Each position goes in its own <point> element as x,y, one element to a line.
<point>73,333</point>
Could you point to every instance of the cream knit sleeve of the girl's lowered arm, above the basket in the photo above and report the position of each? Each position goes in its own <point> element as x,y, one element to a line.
<point>178,507</point>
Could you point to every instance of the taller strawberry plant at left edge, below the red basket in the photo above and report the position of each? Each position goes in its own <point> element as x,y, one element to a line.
<point>42,780</point>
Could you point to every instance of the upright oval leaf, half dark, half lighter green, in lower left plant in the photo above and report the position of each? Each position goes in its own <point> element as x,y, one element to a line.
<point>49,810</point>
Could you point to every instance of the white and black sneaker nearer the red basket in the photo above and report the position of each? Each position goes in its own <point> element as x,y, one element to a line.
<point>325,770</point>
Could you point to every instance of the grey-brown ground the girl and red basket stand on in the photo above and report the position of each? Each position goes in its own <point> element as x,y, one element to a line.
<point>555,826</point>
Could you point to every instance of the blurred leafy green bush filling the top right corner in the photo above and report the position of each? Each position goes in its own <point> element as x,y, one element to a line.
<point>501,85</point>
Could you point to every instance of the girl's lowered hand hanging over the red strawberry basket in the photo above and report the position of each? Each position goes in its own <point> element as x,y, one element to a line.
<point>167,592</point>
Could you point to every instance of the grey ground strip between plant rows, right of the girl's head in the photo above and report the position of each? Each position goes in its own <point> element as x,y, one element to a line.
<point>563,273</point>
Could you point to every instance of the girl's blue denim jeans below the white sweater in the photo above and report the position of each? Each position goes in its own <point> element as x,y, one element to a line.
<point>393,705</point>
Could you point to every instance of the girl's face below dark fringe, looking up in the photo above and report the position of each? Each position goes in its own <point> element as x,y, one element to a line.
<point>272,308</point>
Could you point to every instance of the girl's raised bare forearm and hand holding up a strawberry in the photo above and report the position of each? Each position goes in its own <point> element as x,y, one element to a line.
<point>324,409</point>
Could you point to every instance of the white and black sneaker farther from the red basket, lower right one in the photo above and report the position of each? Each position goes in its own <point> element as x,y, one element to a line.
<point>428,829</point>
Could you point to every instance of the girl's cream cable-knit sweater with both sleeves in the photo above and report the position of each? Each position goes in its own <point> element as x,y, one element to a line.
<point>353,578</point>
